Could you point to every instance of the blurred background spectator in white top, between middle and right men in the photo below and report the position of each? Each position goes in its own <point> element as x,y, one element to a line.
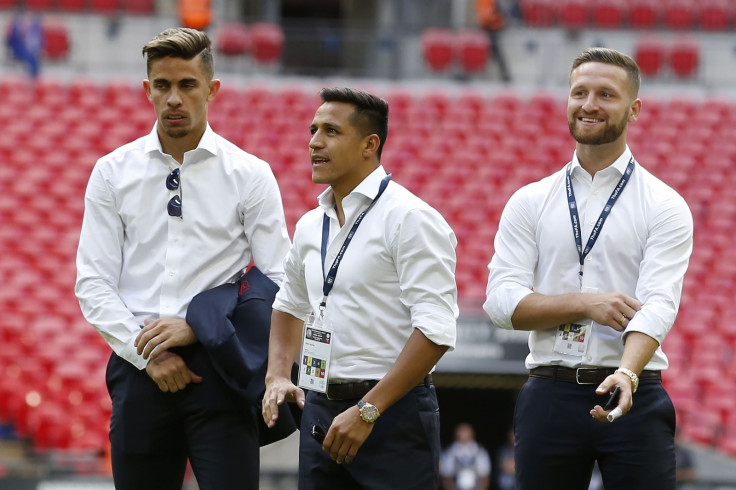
<point>465,465</point>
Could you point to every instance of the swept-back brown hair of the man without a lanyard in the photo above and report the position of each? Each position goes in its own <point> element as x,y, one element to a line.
<point>181,42</point>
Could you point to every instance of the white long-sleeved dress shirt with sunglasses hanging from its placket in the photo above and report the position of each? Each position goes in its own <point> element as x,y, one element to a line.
<point>135,262</point>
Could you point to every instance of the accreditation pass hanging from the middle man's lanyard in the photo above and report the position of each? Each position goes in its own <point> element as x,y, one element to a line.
<point>315,356</point>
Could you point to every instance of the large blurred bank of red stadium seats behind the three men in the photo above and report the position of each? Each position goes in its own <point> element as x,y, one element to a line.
<point>468,174</point>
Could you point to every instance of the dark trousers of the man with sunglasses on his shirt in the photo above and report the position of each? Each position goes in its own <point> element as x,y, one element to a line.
<point>153,433</point>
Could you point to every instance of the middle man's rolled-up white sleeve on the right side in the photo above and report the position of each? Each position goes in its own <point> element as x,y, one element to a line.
<point>424,253</point>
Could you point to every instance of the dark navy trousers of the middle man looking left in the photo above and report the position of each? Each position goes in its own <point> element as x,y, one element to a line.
<point>402,452</point>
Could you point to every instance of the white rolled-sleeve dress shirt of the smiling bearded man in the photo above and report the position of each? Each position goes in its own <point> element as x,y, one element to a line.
<point>643,251</point>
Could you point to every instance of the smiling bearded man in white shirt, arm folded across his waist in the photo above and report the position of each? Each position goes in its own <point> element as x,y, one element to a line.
<point>591,260</point>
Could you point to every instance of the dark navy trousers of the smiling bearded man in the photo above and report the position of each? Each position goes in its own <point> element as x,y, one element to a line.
<point>558,442</point>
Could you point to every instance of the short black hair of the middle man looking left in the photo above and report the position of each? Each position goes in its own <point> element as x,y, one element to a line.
<point>370,115</point>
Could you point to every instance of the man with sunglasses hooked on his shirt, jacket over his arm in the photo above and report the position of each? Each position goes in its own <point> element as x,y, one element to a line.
<point>170,215</point>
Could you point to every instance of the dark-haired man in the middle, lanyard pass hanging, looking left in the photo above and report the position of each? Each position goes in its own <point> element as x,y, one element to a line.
<point>372,275</point>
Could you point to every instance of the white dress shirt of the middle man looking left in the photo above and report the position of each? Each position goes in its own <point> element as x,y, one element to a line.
<point>397,274</point>
